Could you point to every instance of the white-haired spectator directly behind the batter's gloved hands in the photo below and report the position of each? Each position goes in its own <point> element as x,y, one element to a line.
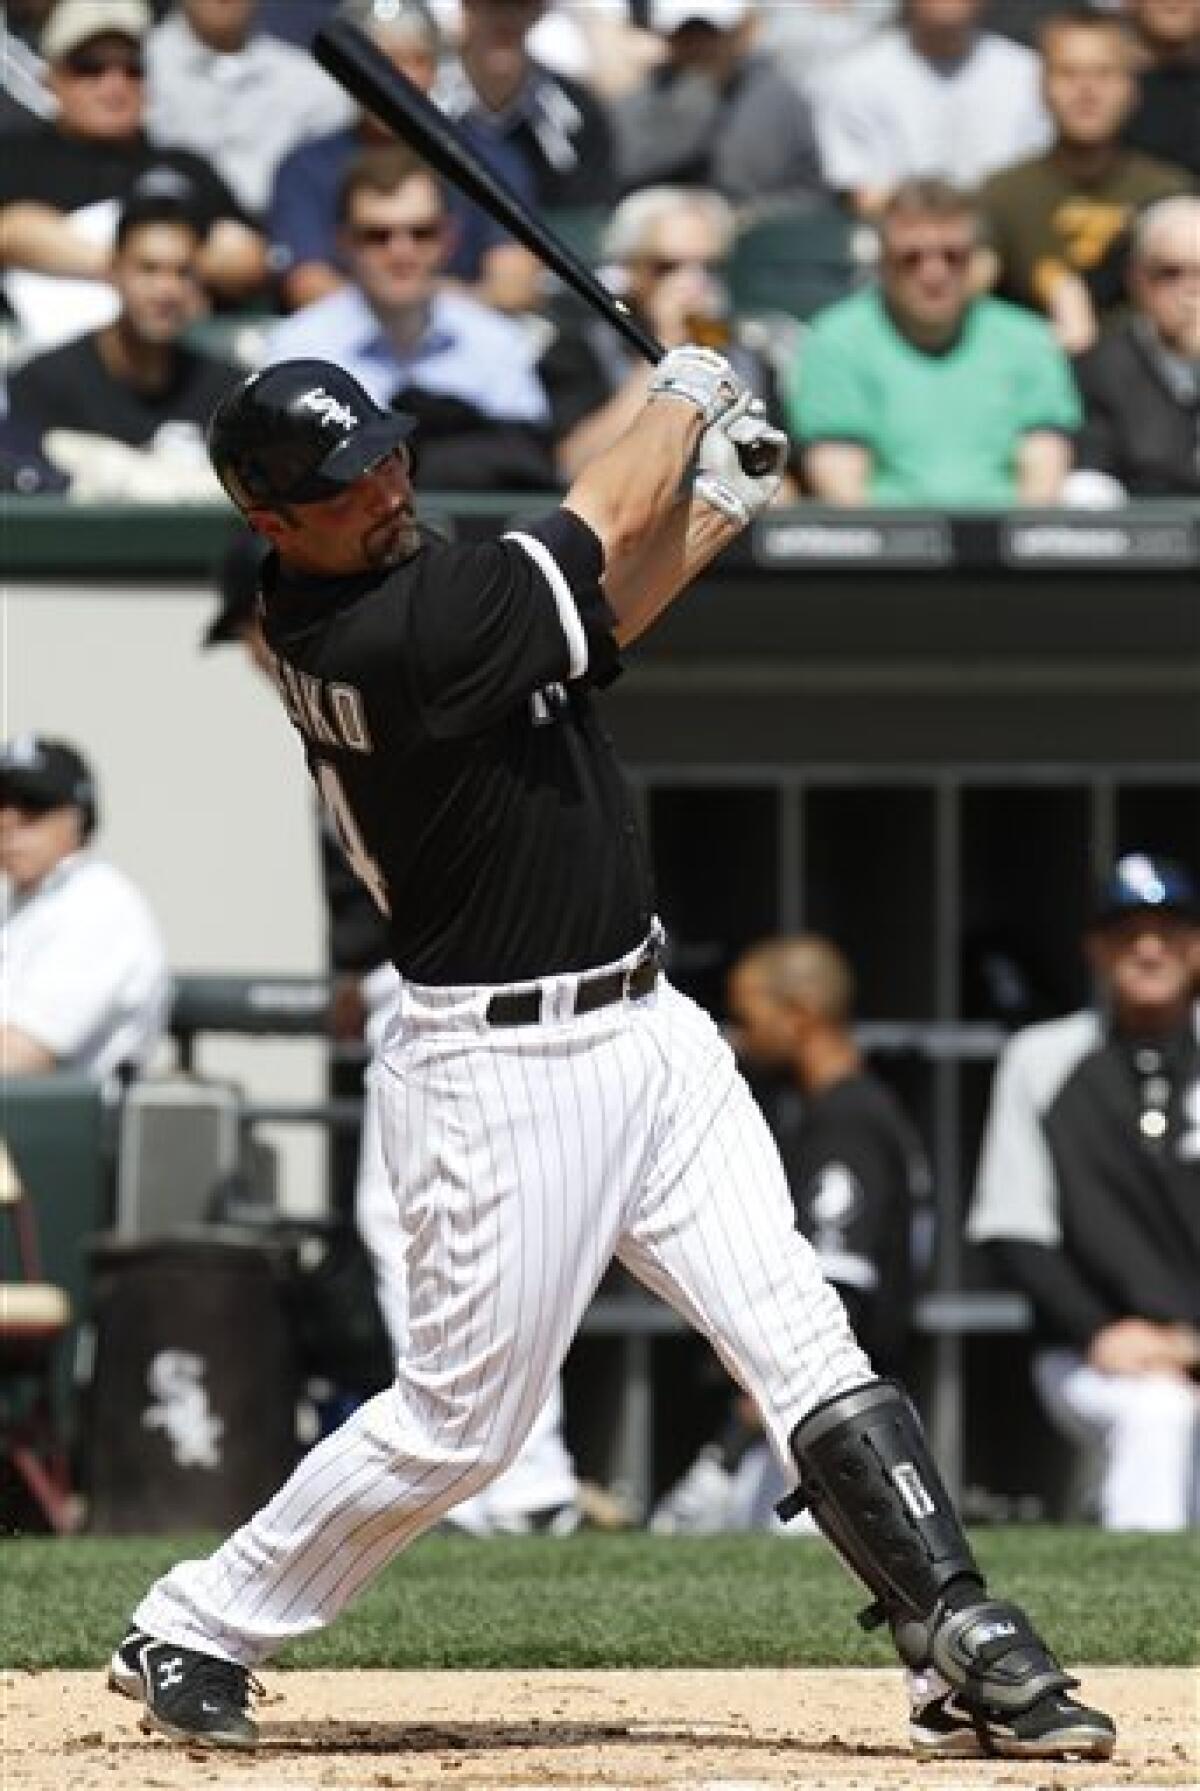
<point>665,253</point>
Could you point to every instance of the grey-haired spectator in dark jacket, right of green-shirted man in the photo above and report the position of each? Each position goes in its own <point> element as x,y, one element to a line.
<point>1142,382</point>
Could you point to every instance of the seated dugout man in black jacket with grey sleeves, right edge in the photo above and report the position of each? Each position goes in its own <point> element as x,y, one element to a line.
<point>1090,1195</point>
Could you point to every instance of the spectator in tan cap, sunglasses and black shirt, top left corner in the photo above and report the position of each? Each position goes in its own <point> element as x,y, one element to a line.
<point>64,182</point>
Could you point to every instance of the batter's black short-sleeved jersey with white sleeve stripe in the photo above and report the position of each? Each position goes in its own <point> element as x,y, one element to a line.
<point>447,716</point>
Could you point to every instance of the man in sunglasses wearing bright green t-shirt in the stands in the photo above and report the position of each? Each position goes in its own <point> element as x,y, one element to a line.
<point>920,390</point>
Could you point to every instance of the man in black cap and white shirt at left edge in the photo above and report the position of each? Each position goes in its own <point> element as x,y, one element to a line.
<point>81,959</point>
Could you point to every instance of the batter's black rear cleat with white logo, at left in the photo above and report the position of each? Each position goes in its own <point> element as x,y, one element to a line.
<point>187,1695</point>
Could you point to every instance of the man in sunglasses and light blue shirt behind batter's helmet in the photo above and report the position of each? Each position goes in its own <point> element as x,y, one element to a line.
<point>413,339</point>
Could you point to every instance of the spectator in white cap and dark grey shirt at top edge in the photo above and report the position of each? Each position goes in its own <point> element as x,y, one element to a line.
<point>716,112</point>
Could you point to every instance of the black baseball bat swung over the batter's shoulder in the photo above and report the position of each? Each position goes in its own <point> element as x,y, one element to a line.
<point>361,67</point>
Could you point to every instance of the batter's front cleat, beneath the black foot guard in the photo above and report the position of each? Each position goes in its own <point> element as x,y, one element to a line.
<point>1054,1729</point>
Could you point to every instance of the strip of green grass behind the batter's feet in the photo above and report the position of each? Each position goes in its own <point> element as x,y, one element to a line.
<point>606,1602</point>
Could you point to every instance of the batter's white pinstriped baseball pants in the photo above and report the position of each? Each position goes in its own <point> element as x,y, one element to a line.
<point>529,1156</point>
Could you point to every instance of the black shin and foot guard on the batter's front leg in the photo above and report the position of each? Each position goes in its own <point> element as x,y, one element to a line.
<point>871,1482</point>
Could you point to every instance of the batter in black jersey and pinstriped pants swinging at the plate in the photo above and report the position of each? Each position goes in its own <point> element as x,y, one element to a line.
<point>547,1099</point>
